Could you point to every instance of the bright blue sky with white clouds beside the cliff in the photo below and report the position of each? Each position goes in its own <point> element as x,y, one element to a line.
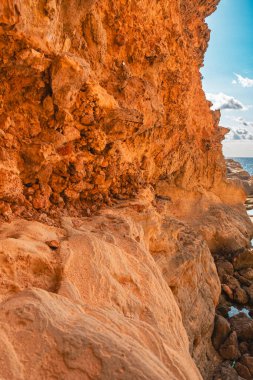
<point>230,52</point>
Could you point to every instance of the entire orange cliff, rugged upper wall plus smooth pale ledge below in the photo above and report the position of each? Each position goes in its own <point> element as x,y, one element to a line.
<point>113,191</point>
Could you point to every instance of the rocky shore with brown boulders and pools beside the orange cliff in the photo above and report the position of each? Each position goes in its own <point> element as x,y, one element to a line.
<point>233,329</point>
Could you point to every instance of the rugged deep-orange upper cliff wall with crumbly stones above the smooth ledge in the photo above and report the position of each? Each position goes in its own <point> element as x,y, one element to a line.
<point>92,94</point>
